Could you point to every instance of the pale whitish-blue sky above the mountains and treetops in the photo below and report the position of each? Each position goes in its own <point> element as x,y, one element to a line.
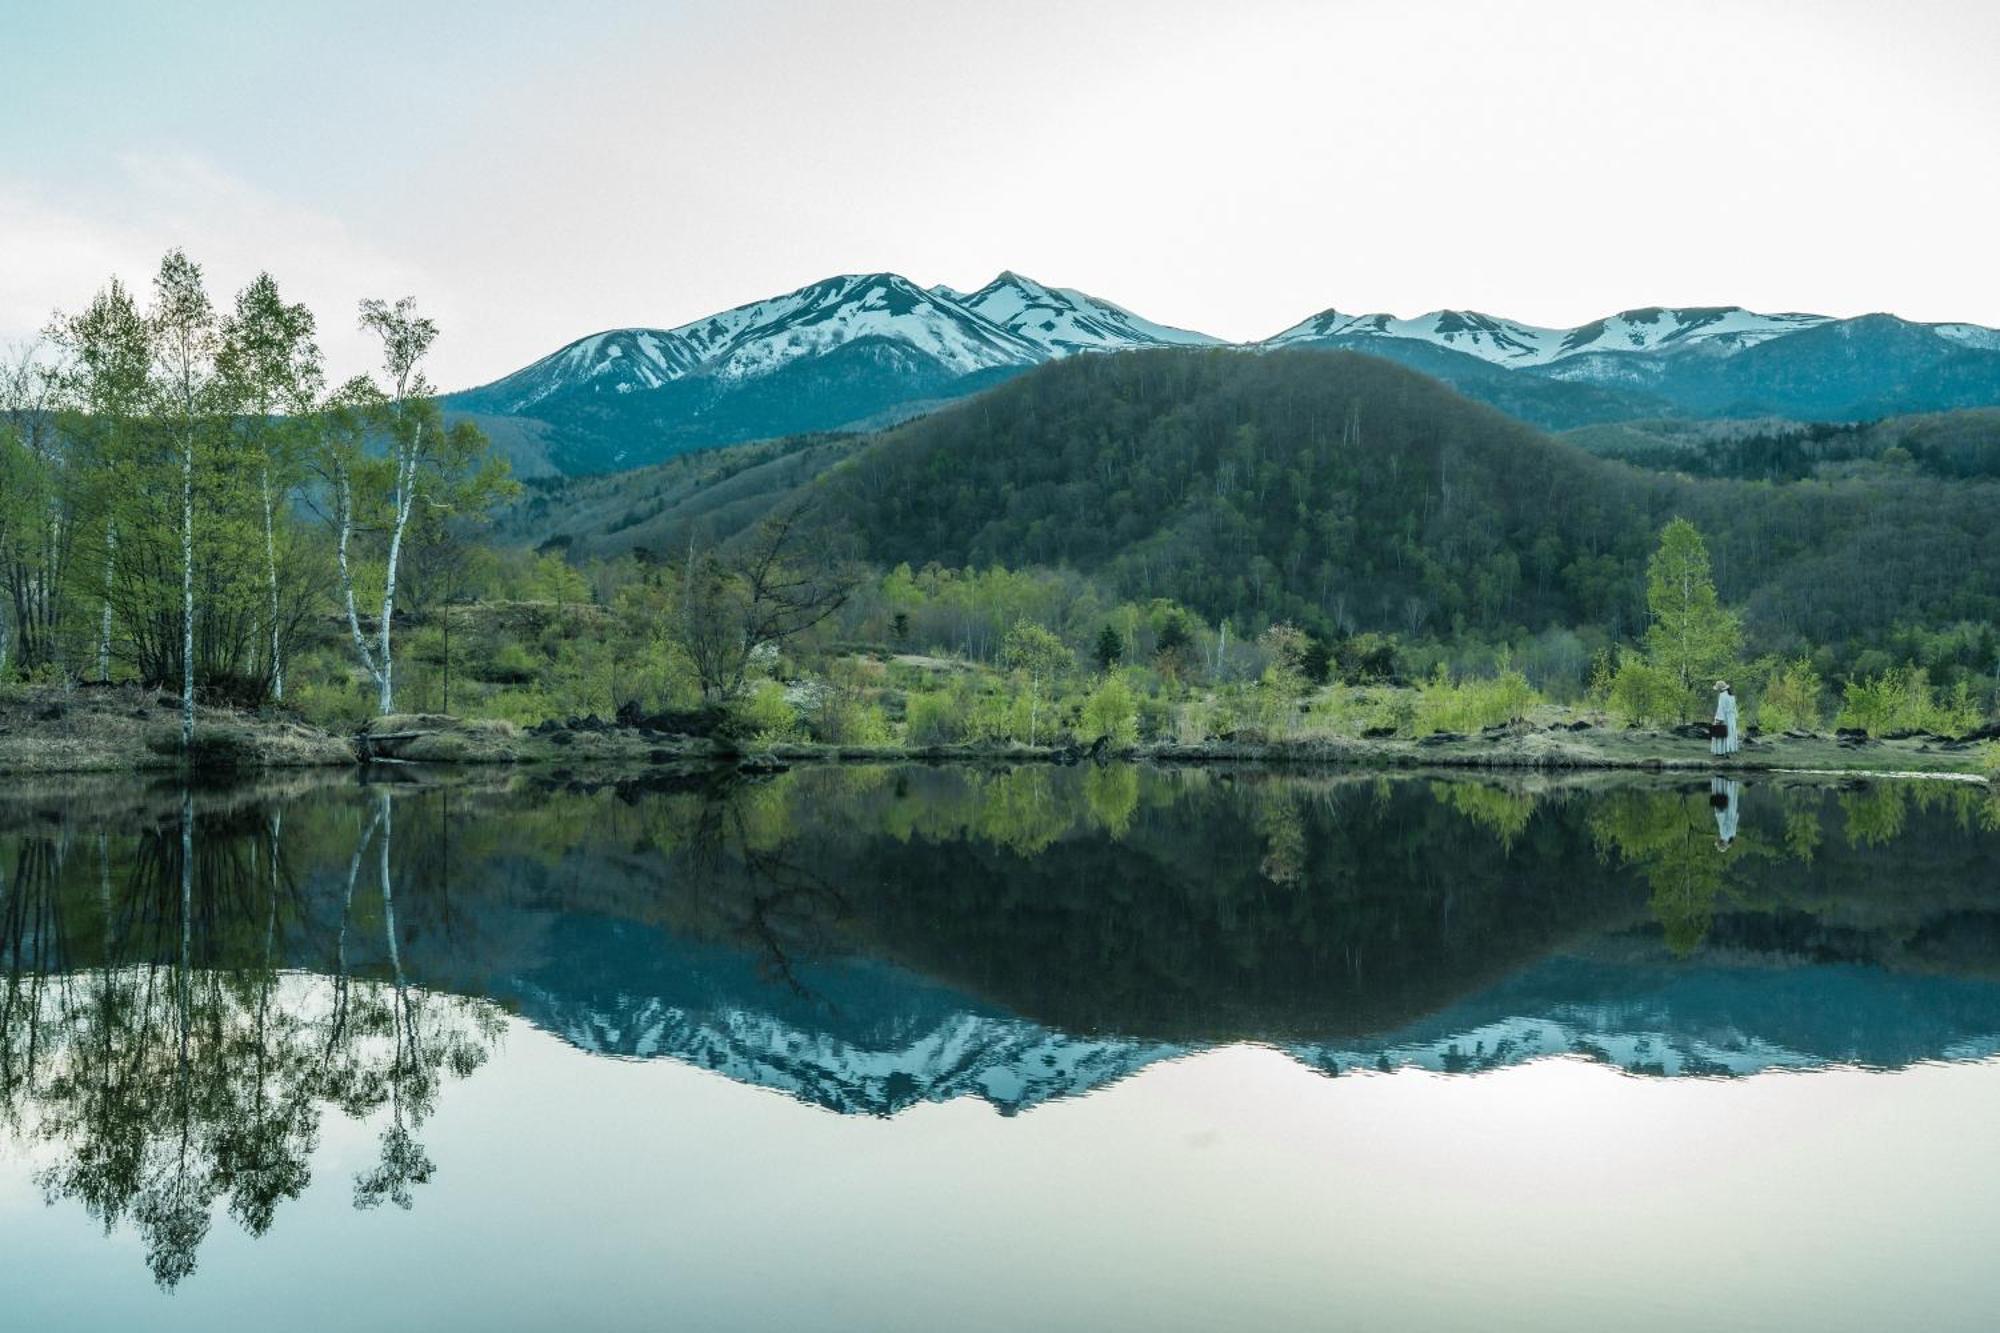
<point>543,171</point>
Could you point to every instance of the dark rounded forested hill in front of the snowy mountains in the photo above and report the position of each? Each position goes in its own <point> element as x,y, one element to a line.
<point>1333,489</point>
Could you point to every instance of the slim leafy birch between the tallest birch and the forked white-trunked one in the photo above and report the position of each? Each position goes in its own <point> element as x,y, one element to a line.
<point>273,369</point>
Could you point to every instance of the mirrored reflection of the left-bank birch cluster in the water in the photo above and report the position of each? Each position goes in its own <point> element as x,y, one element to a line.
<point>153,1036</point>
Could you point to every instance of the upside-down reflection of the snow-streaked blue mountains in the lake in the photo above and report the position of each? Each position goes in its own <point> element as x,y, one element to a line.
<point>871,1040</point>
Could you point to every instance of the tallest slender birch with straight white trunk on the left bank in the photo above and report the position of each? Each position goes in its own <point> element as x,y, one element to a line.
<point>187,341</point>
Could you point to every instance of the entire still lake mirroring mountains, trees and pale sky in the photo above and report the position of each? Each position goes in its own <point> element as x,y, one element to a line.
<point>903,1048</point>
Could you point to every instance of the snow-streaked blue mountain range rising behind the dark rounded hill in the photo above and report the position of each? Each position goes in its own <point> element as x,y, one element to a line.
<point>865,351</point>
